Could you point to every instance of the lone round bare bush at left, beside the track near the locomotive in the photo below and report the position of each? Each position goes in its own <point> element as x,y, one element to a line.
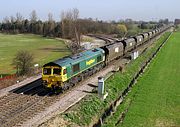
<point>23,62</point>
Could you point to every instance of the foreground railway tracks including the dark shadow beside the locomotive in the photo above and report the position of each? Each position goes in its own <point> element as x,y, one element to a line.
<point>23,104</point>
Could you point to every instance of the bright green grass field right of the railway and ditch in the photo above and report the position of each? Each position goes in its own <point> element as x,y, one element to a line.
<point>157,94</point>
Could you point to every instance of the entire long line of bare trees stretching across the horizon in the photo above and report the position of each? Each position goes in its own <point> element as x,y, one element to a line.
<point>70,26</point>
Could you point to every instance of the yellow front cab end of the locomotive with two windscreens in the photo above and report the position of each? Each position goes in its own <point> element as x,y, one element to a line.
<point>53,75</point>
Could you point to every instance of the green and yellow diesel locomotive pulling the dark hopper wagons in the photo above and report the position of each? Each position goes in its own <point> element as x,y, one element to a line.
<point>69,70</point>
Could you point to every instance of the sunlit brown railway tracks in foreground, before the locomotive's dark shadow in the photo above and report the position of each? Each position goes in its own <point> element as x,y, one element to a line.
<point>17,108</point>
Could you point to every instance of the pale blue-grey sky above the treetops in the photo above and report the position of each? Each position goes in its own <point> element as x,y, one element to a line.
<point>101,9</point>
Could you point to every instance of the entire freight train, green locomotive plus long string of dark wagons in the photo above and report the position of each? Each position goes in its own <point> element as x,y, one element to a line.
<point>68,71</point>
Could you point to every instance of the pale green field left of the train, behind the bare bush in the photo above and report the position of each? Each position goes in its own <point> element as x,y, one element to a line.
<point>43,49</point>
